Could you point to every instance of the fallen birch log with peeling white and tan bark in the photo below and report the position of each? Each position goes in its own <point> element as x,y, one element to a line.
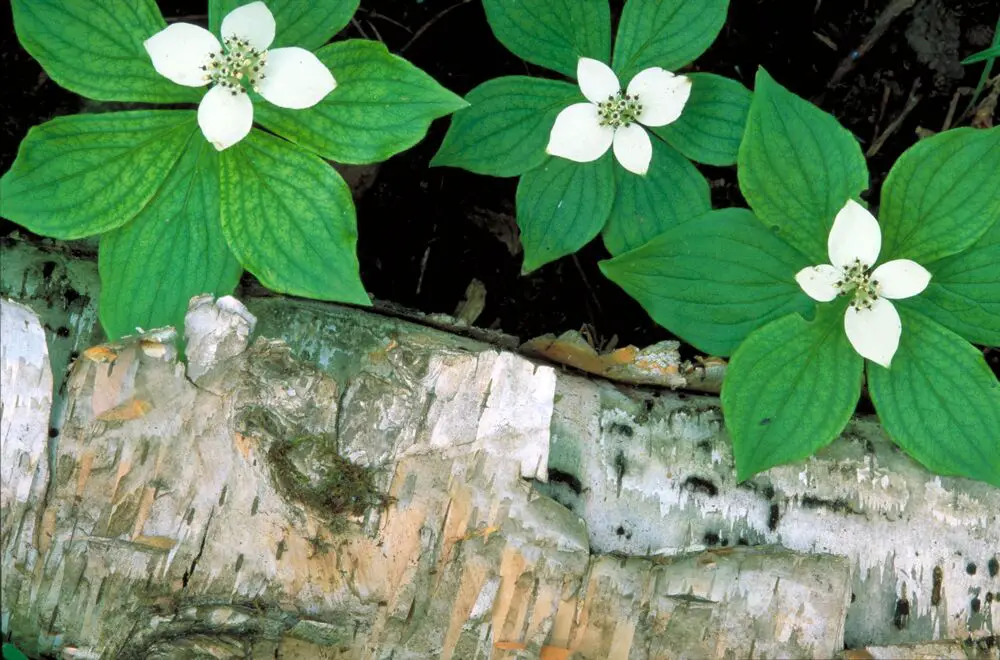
<point>529,510</point>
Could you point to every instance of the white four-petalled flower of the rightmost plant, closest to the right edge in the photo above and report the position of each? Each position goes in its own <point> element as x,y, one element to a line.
<point>871,322</point>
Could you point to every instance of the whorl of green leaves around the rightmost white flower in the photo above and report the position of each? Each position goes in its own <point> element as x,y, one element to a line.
<point>725,282</point>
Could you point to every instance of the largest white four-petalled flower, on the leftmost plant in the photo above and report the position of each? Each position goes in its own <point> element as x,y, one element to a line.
<point>191,56</point>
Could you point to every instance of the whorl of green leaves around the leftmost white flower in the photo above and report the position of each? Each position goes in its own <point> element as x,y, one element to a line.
<point>178,219</point>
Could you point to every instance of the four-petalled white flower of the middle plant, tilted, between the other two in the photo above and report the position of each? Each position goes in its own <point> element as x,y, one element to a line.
<point>584,131</point>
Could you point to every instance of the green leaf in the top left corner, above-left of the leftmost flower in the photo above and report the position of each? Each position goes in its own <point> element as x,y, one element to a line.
<point>94,48</point>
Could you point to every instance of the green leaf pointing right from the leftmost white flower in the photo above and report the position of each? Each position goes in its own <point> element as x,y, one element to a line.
<point>382,105</point>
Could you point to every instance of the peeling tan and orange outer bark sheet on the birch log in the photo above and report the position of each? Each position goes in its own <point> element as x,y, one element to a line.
<point>204,515</point>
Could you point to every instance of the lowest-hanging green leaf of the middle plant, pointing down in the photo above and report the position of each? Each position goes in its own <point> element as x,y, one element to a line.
<point>561,206</point>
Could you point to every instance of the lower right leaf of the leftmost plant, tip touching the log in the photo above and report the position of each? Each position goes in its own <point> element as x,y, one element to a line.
<point>289,219</point>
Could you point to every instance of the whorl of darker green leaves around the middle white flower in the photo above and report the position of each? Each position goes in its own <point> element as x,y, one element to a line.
<point>507,127</point>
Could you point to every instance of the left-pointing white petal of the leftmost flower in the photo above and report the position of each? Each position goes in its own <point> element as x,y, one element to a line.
<point>180,50</point>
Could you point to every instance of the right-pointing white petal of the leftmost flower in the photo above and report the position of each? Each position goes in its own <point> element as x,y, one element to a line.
<point>295,78</point>
